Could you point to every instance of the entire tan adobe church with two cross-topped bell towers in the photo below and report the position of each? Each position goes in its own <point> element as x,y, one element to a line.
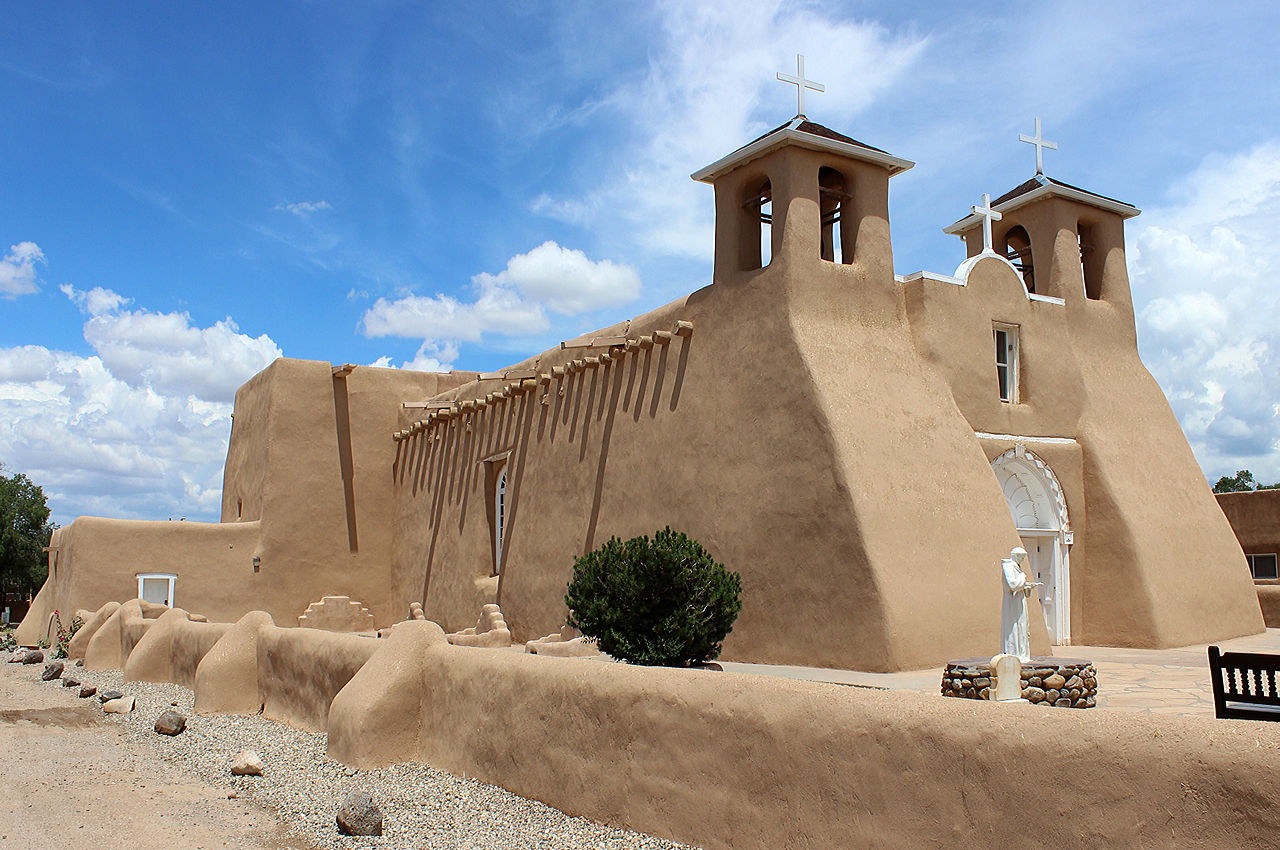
<point>862,447</point>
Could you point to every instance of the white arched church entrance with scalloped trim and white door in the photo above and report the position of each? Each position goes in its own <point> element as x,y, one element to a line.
<point>1039,509</point>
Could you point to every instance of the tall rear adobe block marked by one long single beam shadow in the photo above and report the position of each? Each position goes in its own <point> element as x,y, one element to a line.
<point>310,460</point>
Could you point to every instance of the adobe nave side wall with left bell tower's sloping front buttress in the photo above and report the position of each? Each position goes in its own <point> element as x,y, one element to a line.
<point>835,473</point>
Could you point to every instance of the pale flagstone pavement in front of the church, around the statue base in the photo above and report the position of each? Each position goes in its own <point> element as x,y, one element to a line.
<point>1151,682</point>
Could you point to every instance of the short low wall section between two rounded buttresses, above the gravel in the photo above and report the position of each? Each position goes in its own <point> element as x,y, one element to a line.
<point>301,670</point>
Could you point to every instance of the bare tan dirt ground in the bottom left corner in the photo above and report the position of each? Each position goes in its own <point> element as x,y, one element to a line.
<point>68,779</point>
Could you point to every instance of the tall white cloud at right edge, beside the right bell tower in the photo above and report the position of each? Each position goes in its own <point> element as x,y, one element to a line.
<point>1204,271</point>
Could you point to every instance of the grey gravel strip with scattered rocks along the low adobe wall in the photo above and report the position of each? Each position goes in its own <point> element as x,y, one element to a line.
<point>422,807</point>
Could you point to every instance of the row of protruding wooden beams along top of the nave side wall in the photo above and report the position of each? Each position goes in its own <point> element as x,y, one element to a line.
<point>615,349</point>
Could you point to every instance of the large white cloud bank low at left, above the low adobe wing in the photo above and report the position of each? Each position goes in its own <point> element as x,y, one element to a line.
<point>136,429</point>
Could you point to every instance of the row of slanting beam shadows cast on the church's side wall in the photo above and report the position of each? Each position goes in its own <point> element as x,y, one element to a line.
<point>579,400</point>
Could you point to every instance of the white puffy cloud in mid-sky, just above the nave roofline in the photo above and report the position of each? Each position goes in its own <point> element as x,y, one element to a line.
<point>513,303</point>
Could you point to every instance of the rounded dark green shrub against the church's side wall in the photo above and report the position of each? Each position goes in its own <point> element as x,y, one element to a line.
<point>655,602</point>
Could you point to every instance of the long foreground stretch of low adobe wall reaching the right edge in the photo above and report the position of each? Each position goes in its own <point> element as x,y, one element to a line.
<point>734,761</point>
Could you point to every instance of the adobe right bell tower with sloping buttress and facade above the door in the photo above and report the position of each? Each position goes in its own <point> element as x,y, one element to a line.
<point>1153,563</point>
